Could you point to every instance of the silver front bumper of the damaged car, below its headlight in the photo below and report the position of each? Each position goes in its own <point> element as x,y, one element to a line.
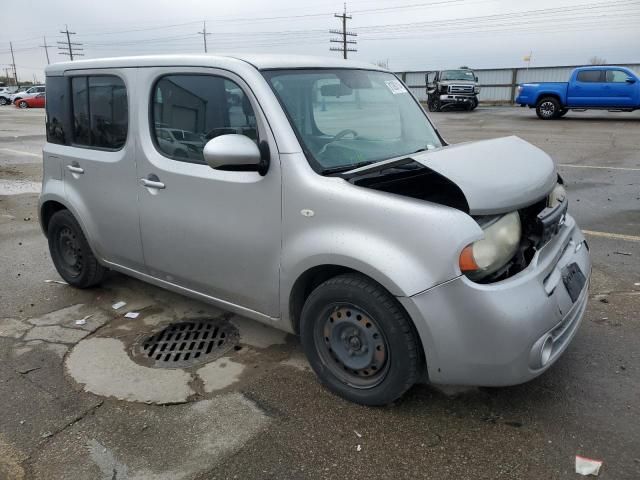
<point>493,334</point>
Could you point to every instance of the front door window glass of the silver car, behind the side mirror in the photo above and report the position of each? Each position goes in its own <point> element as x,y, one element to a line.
<point>189,110</point>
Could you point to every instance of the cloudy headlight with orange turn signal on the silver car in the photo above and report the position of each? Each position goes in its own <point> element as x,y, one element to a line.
<point>490,254</point>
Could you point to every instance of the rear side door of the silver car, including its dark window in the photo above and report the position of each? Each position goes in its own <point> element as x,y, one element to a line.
<point>99,163</point>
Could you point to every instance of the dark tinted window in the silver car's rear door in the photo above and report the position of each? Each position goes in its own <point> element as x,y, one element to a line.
<point>100,112</point>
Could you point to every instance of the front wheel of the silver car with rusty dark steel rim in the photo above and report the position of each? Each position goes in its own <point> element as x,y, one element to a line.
<point>359,341</point>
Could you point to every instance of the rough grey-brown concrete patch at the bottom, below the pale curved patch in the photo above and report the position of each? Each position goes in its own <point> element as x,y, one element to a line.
<point>177,442</point>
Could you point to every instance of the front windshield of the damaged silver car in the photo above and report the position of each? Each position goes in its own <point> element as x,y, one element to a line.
<point>348,118</point>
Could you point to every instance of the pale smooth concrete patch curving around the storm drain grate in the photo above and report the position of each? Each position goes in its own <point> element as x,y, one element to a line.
<point>103,366</point>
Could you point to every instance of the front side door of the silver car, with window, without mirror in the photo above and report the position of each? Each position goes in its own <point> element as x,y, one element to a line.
<point>212,231</point>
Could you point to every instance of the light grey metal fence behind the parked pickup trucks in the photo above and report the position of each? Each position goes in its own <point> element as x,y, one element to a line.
<point>499,84</point>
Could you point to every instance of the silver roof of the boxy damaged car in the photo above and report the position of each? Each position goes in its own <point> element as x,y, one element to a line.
<point>259,61</point>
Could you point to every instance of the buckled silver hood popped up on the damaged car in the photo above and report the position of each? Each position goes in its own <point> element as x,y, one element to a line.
<point>495,176</point>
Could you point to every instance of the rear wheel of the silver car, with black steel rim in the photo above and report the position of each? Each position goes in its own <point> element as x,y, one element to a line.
<point>71,253</point>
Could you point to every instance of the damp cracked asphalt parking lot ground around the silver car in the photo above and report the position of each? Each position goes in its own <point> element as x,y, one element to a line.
<point>76,406</point>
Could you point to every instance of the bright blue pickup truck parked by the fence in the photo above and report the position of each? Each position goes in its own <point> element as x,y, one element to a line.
<point>604,88</point>
